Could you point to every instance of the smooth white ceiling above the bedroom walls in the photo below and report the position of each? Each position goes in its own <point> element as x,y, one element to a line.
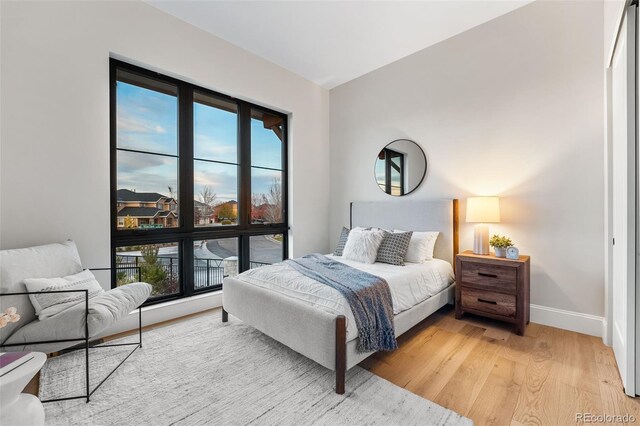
<point>332,42</point>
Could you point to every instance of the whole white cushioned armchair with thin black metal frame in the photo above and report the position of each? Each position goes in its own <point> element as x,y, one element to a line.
<point>74,326</point>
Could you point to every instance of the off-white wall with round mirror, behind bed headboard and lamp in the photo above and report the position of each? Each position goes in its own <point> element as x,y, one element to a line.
<point>513,108</point>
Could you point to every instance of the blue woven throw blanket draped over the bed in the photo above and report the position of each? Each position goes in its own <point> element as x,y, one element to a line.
<point>368,295</point>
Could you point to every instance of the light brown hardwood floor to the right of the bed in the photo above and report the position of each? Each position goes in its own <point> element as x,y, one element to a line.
<point>478,368</point>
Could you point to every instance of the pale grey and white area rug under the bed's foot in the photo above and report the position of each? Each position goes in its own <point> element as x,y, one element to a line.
<point>201,371</point>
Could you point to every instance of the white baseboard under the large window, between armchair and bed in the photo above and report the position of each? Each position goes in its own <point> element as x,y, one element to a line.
<point>166,311</point>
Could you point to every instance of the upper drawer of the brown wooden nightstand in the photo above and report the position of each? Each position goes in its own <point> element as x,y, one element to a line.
<point>489,277</point>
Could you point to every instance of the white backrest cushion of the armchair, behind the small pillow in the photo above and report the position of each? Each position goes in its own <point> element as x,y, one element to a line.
<point>46,261</point>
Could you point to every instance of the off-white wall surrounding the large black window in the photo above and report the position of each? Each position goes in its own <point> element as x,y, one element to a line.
<point>55,115</point>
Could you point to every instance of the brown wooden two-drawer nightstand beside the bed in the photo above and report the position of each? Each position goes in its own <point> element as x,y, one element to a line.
<point>493,287</point>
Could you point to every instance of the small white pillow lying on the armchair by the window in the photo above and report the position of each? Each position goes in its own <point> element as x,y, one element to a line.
<point>49,304</point>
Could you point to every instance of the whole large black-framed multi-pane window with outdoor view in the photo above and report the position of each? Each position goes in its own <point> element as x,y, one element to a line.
<point>199,184</point>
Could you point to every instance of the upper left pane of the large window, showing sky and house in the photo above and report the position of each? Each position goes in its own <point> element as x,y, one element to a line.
<point>146,148</point>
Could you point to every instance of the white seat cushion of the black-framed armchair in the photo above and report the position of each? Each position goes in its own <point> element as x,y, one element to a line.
<point>104,310</point>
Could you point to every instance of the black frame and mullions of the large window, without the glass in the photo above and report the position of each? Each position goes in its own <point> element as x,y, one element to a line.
<point>186,232</point>
